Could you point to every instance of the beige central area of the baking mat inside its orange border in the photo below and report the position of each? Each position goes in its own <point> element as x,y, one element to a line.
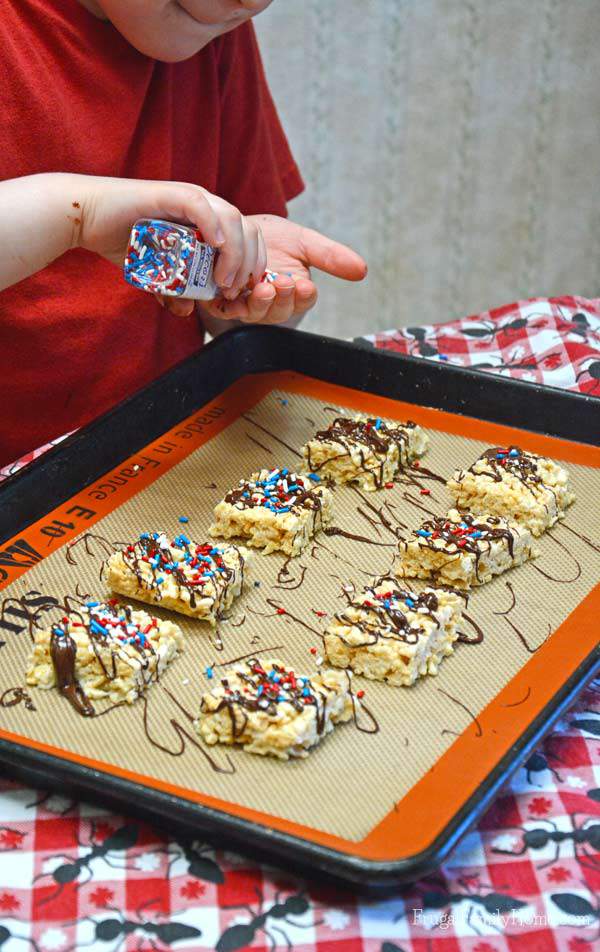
<point>352,781</point>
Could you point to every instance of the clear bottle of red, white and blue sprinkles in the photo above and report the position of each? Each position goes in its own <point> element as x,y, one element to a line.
<point>167,258</point>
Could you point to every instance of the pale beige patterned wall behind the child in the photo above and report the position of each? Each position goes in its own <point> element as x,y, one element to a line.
<point>455,143</point>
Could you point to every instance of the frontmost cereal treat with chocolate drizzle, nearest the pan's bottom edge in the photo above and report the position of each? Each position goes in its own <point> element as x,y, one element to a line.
<point>269,710</point>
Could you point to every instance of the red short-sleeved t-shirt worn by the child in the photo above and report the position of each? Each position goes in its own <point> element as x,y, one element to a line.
<point>76,97</point>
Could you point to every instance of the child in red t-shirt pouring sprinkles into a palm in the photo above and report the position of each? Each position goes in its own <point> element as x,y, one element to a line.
<point>167,92</point>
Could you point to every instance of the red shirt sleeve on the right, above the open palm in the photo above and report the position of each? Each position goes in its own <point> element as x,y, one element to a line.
<point>257,171</point>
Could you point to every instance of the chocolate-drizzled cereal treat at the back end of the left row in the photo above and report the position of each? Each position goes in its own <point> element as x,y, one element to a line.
<point>365,450</point>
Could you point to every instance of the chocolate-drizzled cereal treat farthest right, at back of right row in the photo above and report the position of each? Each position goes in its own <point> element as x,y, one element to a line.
<point>523,487</point>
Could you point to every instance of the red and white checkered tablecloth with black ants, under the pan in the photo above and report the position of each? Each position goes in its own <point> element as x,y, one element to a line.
<point>73,876</point>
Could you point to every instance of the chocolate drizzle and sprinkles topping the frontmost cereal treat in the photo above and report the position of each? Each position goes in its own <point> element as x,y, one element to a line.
<point>264,690</point>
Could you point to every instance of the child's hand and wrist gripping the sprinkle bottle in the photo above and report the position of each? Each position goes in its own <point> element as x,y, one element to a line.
<point>106,209</point>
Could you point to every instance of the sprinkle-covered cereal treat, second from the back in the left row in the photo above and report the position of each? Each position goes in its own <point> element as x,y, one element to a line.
<point>274,510</point>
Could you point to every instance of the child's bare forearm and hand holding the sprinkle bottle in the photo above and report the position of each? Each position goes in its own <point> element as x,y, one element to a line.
<point>43,216</point>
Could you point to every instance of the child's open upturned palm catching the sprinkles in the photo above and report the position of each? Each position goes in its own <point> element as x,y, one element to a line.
<point>291,251</point>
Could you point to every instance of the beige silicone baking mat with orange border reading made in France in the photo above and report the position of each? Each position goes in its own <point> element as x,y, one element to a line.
<point>382,787</point>
